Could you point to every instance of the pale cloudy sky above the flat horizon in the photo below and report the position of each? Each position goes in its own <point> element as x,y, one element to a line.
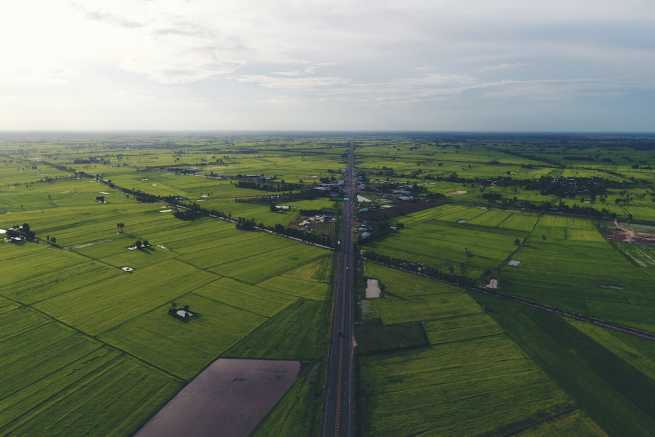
<point>466,65</point>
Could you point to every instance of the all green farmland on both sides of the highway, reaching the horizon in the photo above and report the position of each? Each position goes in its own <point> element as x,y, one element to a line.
<point>90,349</point>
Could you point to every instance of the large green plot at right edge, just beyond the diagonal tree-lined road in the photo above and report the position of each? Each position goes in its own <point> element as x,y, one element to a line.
<point>566,263</point>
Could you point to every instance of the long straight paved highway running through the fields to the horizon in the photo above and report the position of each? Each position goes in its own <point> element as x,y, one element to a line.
<point>337,418</point>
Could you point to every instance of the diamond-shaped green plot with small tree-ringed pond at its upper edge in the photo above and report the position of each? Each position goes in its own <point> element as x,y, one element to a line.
<point>184,348</point>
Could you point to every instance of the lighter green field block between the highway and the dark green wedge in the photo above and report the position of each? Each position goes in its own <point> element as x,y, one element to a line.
<point>471,379</point>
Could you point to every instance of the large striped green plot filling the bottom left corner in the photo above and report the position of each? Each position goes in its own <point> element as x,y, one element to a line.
<point>73,378</point>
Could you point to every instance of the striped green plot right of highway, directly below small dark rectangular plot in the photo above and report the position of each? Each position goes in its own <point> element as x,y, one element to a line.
<point>464,388</point>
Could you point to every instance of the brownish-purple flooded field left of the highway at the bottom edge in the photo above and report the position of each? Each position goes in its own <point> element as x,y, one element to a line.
<point>228,399</point>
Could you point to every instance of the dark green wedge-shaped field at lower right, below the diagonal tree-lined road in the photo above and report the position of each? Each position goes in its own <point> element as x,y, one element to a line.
<point>609,389</point>
